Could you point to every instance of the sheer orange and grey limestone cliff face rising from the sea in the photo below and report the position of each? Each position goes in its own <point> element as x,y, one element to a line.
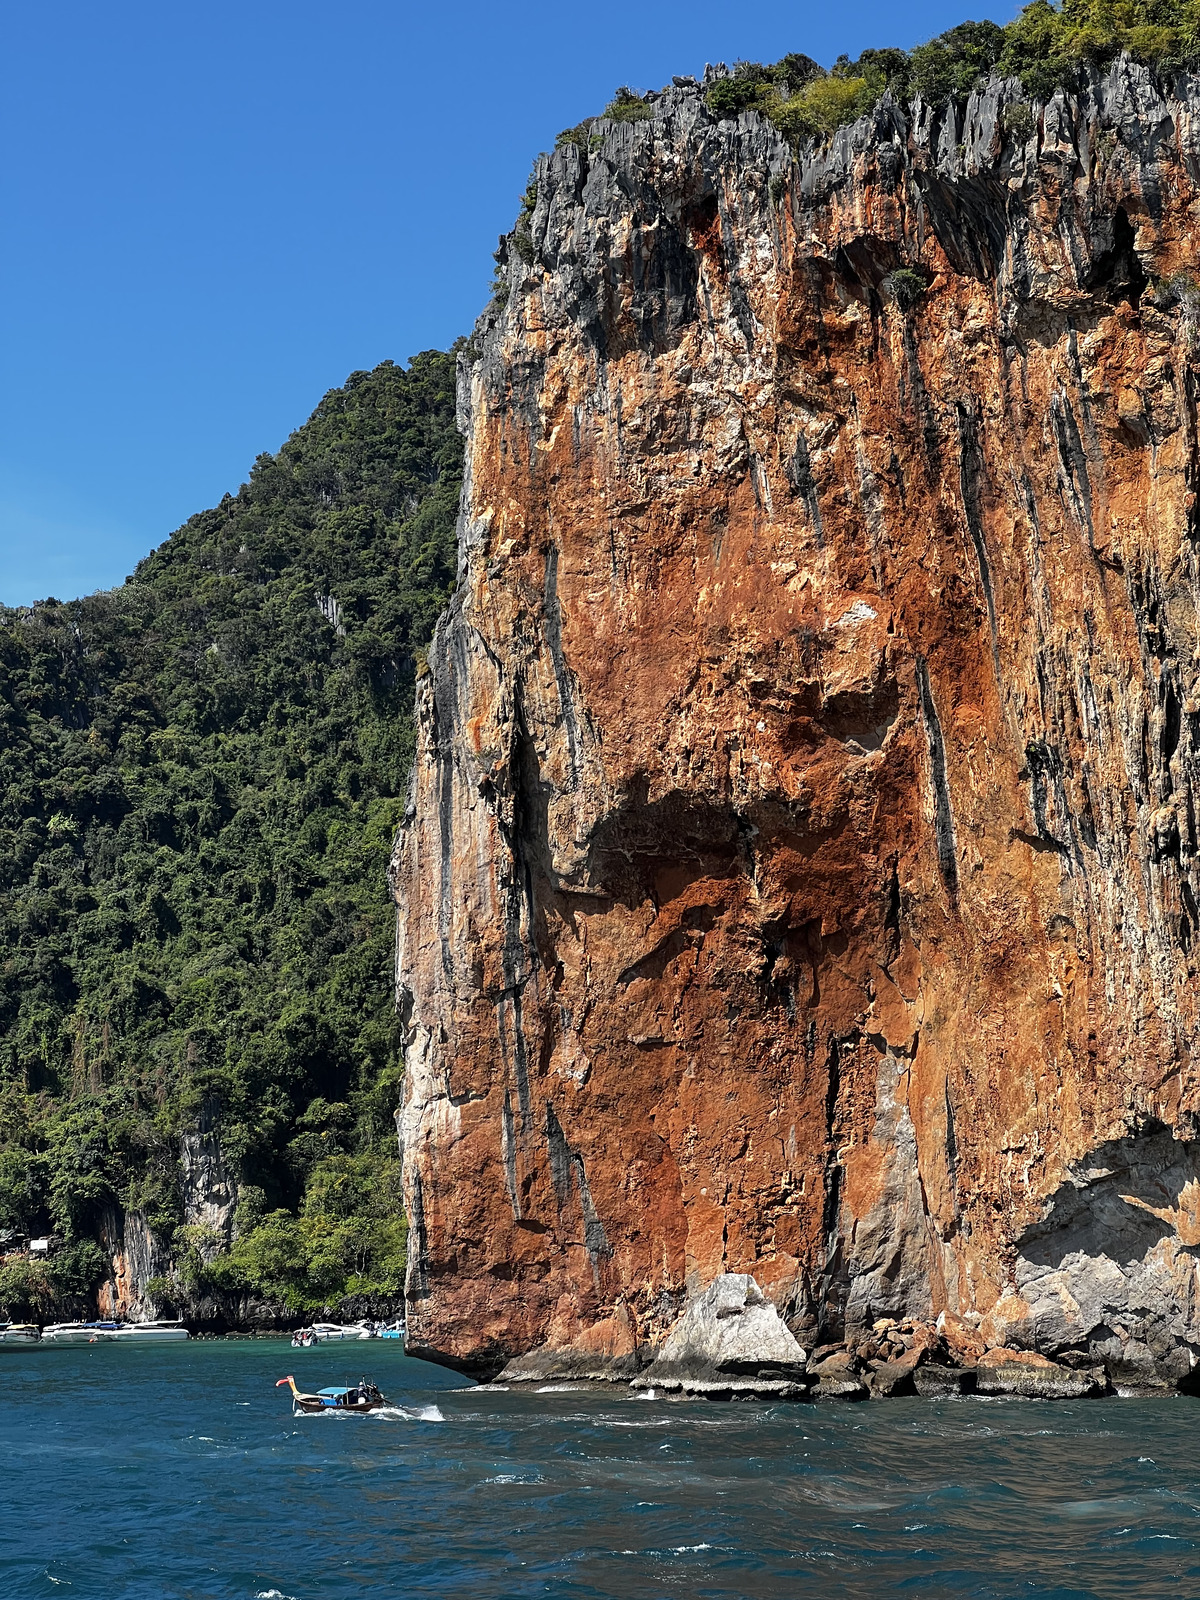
<point>802,866</point>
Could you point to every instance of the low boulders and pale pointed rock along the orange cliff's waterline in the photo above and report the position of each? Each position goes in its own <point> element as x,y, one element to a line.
<point>734,1345</point>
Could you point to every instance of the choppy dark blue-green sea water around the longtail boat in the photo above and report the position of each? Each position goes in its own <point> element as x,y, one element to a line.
<point>180,1473</point>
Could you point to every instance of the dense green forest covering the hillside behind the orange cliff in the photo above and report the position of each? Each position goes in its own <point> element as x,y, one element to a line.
<point>201,778</point>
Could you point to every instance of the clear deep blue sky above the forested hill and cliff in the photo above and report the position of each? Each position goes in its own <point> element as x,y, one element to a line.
<point>215,212</point>
